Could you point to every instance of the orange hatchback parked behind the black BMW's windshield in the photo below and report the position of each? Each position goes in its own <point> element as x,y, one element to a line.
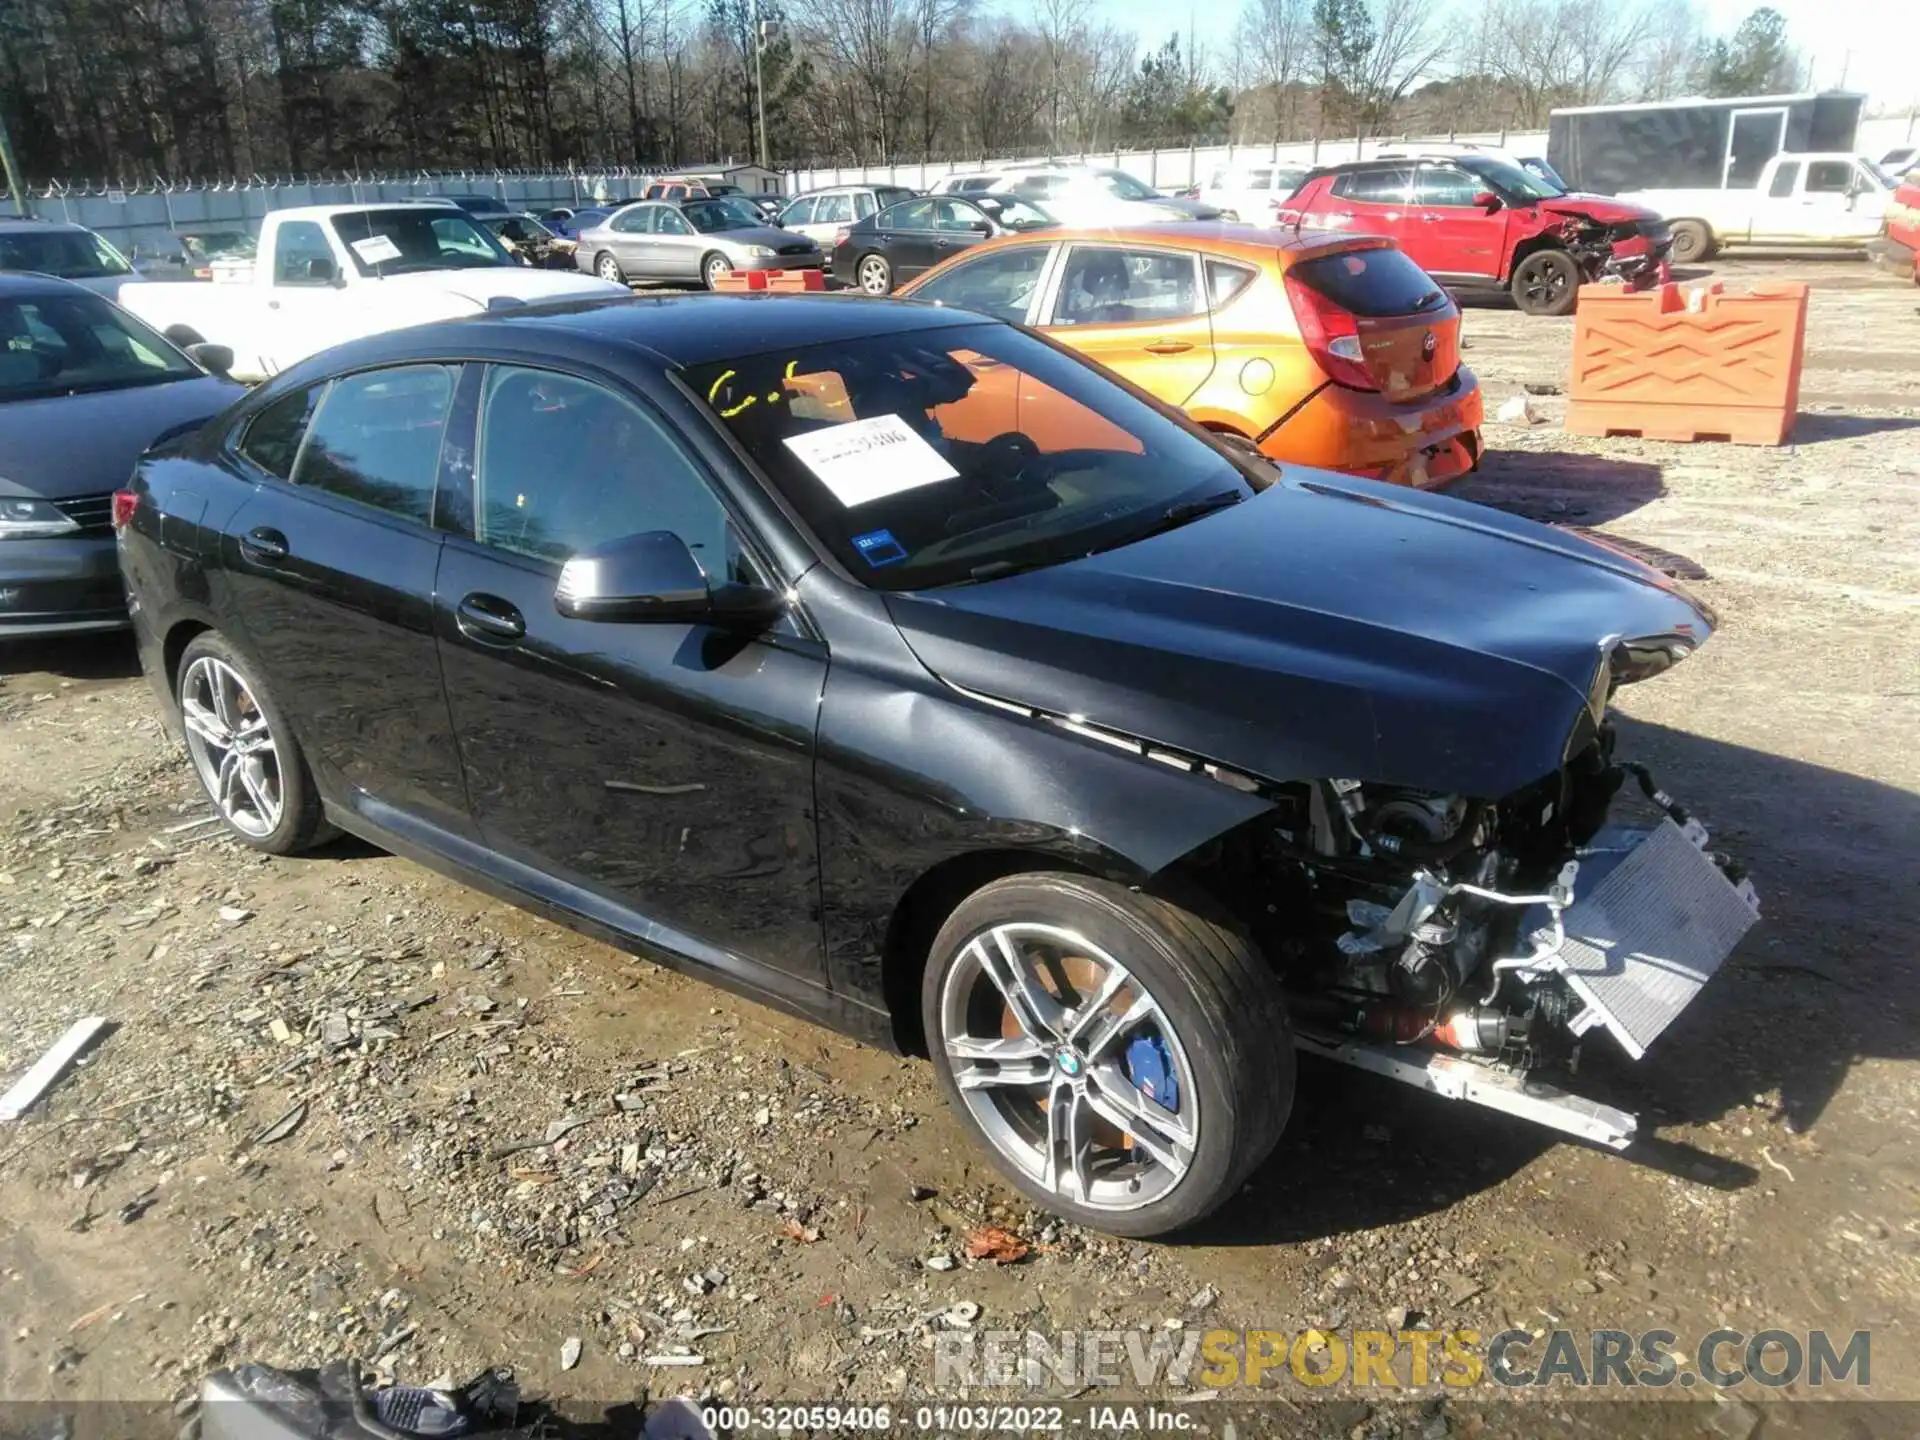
<point>1326,350</point>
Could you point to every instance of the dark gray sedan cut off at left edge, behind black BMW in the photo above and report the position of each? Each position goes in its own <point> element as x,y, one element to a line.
<point>85,389</point>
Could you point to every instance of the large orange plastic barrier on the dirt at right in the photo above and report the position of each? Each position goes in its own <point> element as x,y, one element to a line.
<point>1723,368</point>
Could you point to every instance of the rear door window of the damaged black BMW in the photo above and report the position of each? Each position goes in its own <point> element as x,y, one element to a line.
<point>377,439</point>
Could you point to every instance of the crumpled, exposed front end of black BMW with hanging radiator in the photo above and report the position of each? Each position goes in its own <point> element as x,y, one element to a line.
<point>1476,946</point>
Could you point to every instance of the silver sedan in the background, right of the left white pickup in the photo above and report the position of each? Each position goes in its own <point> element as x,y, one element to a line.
<point>692,243</point>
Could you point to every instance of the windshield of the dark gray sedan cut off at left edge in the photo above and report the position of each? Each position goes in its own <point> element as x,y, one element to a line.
<point>70,345</point>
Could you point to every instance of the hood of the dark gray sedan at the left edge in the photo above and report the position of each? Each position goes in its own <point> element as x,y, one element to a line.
<point>87,444</point>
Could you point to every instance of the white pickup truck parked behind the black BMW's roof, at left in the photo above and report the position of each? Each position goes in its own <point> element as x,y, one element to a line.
<point>333,274</point>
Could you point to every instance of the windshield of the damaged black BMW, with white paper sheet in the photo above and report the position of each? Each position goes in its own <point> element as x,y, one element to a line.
<point>934,458</point>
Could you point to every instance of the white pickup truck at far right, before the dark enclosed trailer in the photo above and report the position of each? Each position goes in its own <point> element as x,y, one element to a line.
<point>1825,201</point>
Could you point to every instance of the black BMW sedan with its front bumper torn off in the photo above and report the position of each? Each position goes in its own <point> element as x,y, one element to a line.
<point>909,673</point>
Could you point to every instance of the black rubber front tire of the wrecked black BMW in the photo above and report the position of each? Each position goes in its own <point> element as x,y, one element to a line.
<point>1222,1001</point>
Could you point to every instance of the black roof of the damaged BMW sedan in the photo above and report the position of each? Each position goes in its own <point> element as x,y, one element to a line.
<point>690,329</point>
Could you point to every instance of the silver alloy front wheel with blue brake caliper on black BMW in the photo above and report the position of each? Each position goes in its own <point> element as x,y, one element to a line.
<point>1034,1022</point>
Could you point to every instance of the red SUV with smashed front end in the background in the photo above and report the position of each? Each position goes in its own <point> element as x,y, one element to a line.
<point>1479,222</point>
